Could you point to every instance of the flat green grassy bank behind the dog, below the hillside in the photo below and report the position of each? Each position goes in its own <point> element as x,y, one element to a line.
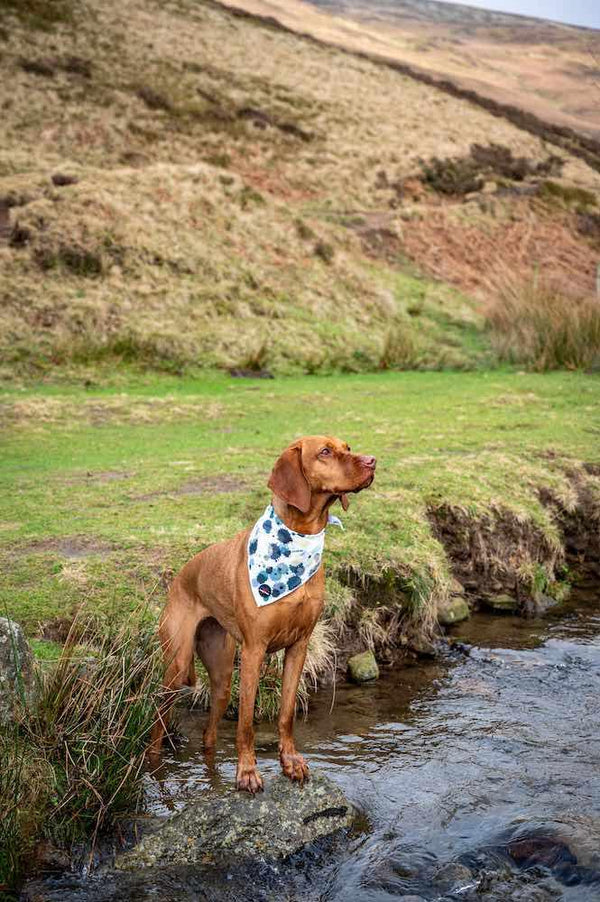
<point>106,491</point>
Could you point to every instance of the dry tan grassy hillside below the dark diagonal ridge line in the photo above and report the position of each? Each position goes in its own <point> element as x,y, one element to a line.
<point>182,187</point>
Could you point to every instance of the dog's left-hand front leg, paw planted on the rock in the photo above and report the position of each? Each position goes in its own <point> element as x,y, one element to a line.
<point>247,776</point>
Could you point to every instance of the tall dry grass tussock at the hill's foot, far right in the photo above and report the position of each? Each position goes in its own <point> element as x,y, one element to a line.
<point>544,326</point>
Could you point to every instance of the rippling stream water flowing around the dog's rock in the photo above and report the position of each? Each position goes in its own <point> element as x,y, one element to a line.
<point>478,777</point>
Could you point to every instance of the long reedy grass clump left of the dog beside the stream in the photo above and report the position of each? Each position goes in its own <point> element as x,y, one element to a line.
<point>72,762</point>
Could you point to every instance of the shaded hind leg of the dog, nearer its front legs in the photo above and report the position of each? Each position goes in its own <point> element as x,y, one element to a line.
<point>216,649</point>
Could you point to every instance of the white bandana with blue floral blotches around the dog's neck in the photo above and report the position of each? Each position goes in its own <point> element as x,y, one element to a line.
<point>279,559</point>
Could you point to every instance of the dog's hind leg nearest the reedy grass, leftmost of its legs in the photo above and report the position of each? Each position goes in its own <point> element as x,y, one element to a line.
<point>177,631</point>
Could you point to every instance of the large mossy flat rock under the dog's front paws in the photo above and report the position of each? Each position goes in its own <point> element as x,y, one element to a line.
<point>225,826</point>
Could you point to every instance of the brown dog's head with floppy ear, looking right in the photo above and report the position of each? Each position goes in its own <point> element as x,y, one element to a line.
<point>318,465</point>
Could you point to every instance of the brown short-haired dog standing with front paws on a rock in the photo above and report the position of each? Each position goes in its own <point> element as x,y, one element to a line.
<point>211,606</point>
